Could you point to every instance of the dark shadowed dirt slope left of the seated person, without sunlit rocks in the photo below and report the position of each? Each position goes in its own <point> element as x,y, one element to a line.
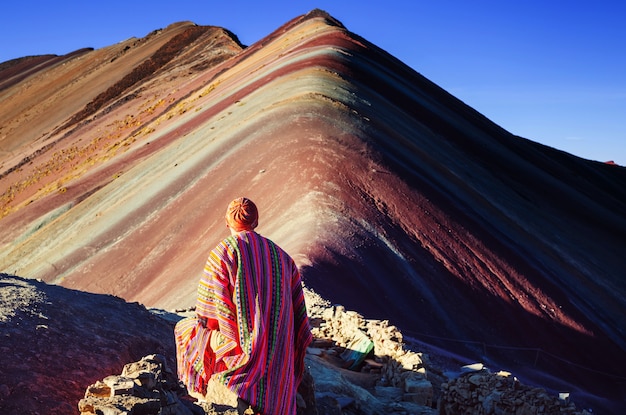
<point>54,342</point>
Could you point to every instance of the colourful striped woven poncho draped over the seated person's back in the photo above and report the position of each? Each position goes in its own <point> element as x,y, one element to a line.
<point>250,295</point>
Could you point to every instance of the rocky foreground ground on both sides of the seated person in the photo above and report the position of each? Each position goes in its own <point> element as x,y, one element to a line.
<point>65,351</point>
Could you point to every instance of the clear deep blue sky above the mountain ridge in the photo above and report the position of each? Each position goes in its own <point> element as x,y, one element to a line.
<point>553,71</point>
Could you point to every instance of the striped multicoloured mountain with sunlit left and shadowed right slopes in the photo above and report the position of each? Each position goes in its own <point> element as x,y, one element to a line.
<point>394,198</point>
